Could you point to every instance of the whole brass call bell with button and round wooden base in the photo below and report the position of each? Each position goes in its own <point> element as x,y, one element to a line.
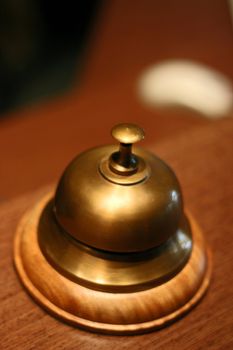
<point>112,250</point>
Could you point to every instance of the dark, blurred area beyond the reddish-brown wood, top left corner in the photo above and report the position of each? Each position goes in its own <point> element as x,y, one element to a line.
<point>41,47</point>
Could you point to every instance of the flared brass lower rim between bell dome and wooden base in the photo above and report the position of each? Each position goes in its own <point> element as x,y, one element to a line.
<point>111,271</point>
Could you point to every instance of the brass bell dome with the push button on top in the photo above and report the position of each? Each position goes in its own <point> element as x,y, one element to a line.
<point>119,200</point>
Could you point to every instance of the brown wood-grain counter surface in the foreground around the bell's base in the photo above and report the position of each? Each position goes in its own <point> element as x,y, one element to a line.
<point>202,160</point>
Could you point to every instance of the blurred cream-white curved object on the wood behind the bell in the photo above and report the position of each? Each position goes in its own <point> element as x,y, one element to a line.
<point>188,84</point>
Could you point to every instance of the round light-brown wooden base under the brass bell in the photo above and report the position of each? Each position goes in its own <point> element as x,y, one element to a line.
<point>119,313</point>
